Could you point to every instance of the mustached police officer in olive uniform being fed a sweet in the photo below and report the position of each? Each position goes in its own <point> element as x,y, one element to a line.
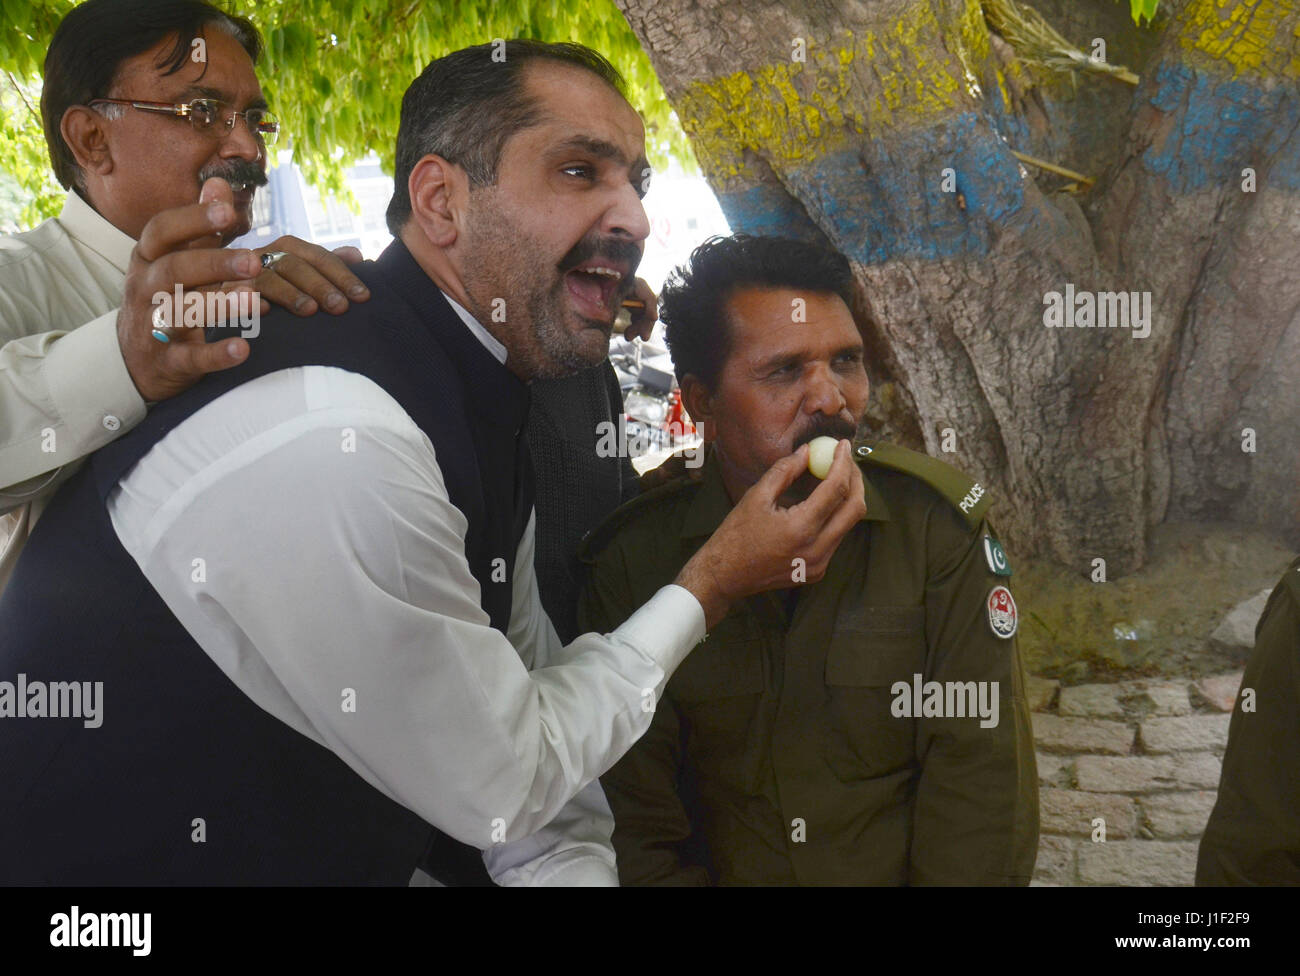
<point>870,728</point>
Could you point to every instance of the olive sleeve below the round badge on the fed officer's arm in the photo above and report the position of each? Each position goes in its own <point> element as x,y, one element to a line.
<point>977,808</point>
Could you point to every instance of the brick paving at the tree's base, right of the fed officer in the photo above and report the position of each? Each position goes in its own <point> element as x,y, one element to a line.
<point>1143,757</point>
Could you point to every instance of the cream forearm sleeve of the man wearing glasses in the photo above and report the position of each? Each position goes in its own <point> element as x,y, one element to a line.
<point>63,396</point>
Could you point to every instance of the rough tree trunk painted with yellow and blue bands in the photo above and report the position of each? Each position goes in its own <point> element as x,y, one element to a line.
<point>1086,436</point>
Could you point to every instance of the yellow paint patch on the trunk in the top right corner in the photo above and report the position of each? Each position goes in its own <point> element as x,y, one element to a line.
<point>1254,37</point>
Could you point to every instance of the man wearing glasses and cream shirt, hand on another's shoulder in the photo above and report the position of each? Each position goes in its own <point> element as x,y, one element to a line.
<point>158,127</point>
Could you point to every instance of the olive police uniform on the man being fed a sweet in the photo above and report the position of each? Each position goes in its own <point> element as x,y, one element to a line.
<point>801,743</point>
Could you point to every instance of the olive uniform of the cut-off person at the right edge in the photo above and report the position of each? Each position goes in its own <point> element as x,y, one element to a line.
<point>1254,834</point>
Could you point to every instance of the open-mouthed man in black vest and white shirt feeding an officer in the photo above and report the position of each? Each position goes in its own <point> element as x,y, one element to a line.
<point>297,605</point>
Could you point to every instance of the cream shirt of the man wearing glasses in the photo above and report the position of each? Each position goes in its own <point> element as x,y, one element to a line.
<point>64,388</point>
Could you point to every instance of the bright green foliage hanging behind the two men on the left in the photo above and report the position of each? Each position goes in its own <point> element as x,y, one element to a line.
<point>383,46</point>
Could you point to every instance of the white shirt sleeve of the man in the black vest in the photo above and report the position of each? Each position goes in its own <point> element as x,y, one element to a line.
<point>314,553</point>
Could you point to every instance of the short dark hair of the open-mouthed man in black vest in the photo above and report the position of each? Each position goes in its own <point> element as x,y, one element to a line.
<point>466,106</point>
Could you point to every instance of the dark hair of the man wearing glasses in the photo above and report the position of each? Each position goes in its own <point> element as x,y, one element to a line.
<point>96,38</point>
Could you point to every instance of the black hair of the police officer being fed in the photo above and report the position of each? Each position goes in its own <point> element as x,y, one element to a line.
<point>694,306</point>
